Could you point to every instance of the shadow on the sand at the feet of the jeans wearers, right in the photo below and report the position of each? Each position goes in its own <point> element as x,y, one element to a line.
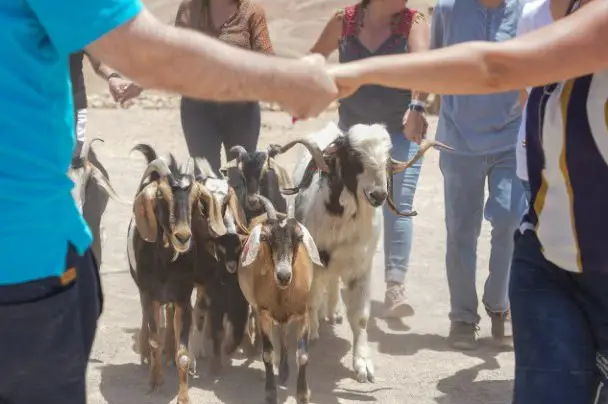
<point>460,388</point>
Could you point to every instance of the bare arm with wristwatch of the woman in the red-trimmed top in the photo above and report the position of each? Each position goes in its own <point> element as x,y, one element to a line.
<point>414,121</point>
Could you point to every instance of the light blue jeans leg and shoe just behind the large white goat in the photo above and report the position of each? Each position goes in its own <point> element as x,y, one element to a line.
<point>398,231</point>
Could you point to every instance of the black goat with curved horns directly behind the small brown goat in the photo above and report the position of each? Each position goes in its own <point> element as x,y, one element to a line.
<point>257,172</point>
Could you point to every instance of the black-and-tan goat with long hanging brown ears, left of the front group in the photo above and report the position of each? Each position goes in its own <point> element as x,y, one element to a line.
<point>163,255</point>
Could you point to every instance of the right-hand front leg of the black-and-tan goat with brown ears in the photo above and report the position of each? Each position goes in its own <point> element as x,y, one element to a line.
<point>182,321</point>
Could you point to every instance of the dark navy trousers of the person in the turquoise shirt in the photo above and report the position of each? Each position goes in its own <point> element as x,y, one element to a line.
<point>47,330</point>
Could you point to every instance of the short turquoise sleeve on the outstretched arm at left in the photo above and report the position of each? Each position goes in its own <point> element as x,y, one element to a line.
<point>72,25</point>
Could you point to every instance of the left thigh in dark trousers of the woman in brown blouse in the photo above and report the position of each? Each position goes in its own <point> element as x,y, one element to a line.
<point>203,139</point>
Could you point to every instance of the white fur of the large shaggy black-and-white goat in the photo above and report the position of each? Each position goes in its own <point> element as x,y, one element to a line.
<point>350,239</point>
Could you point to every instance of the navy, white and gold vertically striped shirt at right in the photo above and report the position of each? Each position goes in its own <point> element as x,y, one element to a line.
<point>567,155</point>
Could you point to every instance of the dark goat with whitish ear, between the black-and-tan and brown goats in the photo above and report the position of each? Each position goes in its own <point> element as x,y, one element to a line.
<point>220,297</point>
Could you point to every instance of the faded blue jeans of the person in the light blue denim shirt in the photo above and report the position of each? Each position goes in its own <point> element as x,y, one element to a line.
<point>464,184</point>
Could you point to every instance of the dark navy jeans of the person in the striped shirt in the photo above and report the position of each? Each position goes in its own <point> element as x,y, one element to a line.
<point>560,329</point>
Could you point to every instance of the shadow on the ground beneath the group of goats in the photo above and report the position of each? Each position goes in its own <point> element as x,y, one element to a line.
<point>239,383</point>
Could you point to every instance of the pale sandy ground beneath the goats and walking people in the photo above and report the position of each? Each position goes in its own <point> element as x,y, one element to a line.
<point>414,364</point>
